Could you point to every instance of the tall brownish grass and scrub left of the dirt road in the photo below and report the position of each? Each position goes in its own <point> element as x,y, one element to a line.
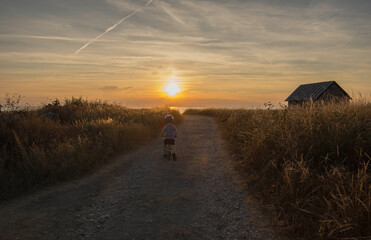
<point>63,141</point>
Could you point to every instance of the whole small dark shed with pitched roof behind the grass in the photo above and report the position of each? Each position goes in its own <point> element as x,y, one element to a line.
<point>321,91</point>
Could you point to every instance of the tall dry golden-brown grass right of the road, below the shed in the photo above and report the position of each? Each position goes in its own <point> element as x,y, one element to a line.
<point>311,164</point>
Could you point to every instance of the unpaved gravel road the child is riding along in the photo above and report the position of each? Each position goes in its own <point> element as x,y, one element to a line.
<point>142,196</point>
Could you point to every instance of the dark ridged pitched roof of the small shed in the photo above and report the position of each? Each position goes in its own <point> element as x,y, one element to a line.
<point>310,91</point>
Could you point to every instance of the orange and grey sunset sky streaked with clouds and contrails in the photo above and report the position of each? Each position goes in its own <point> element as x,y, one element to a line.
<point>220,53</point>
